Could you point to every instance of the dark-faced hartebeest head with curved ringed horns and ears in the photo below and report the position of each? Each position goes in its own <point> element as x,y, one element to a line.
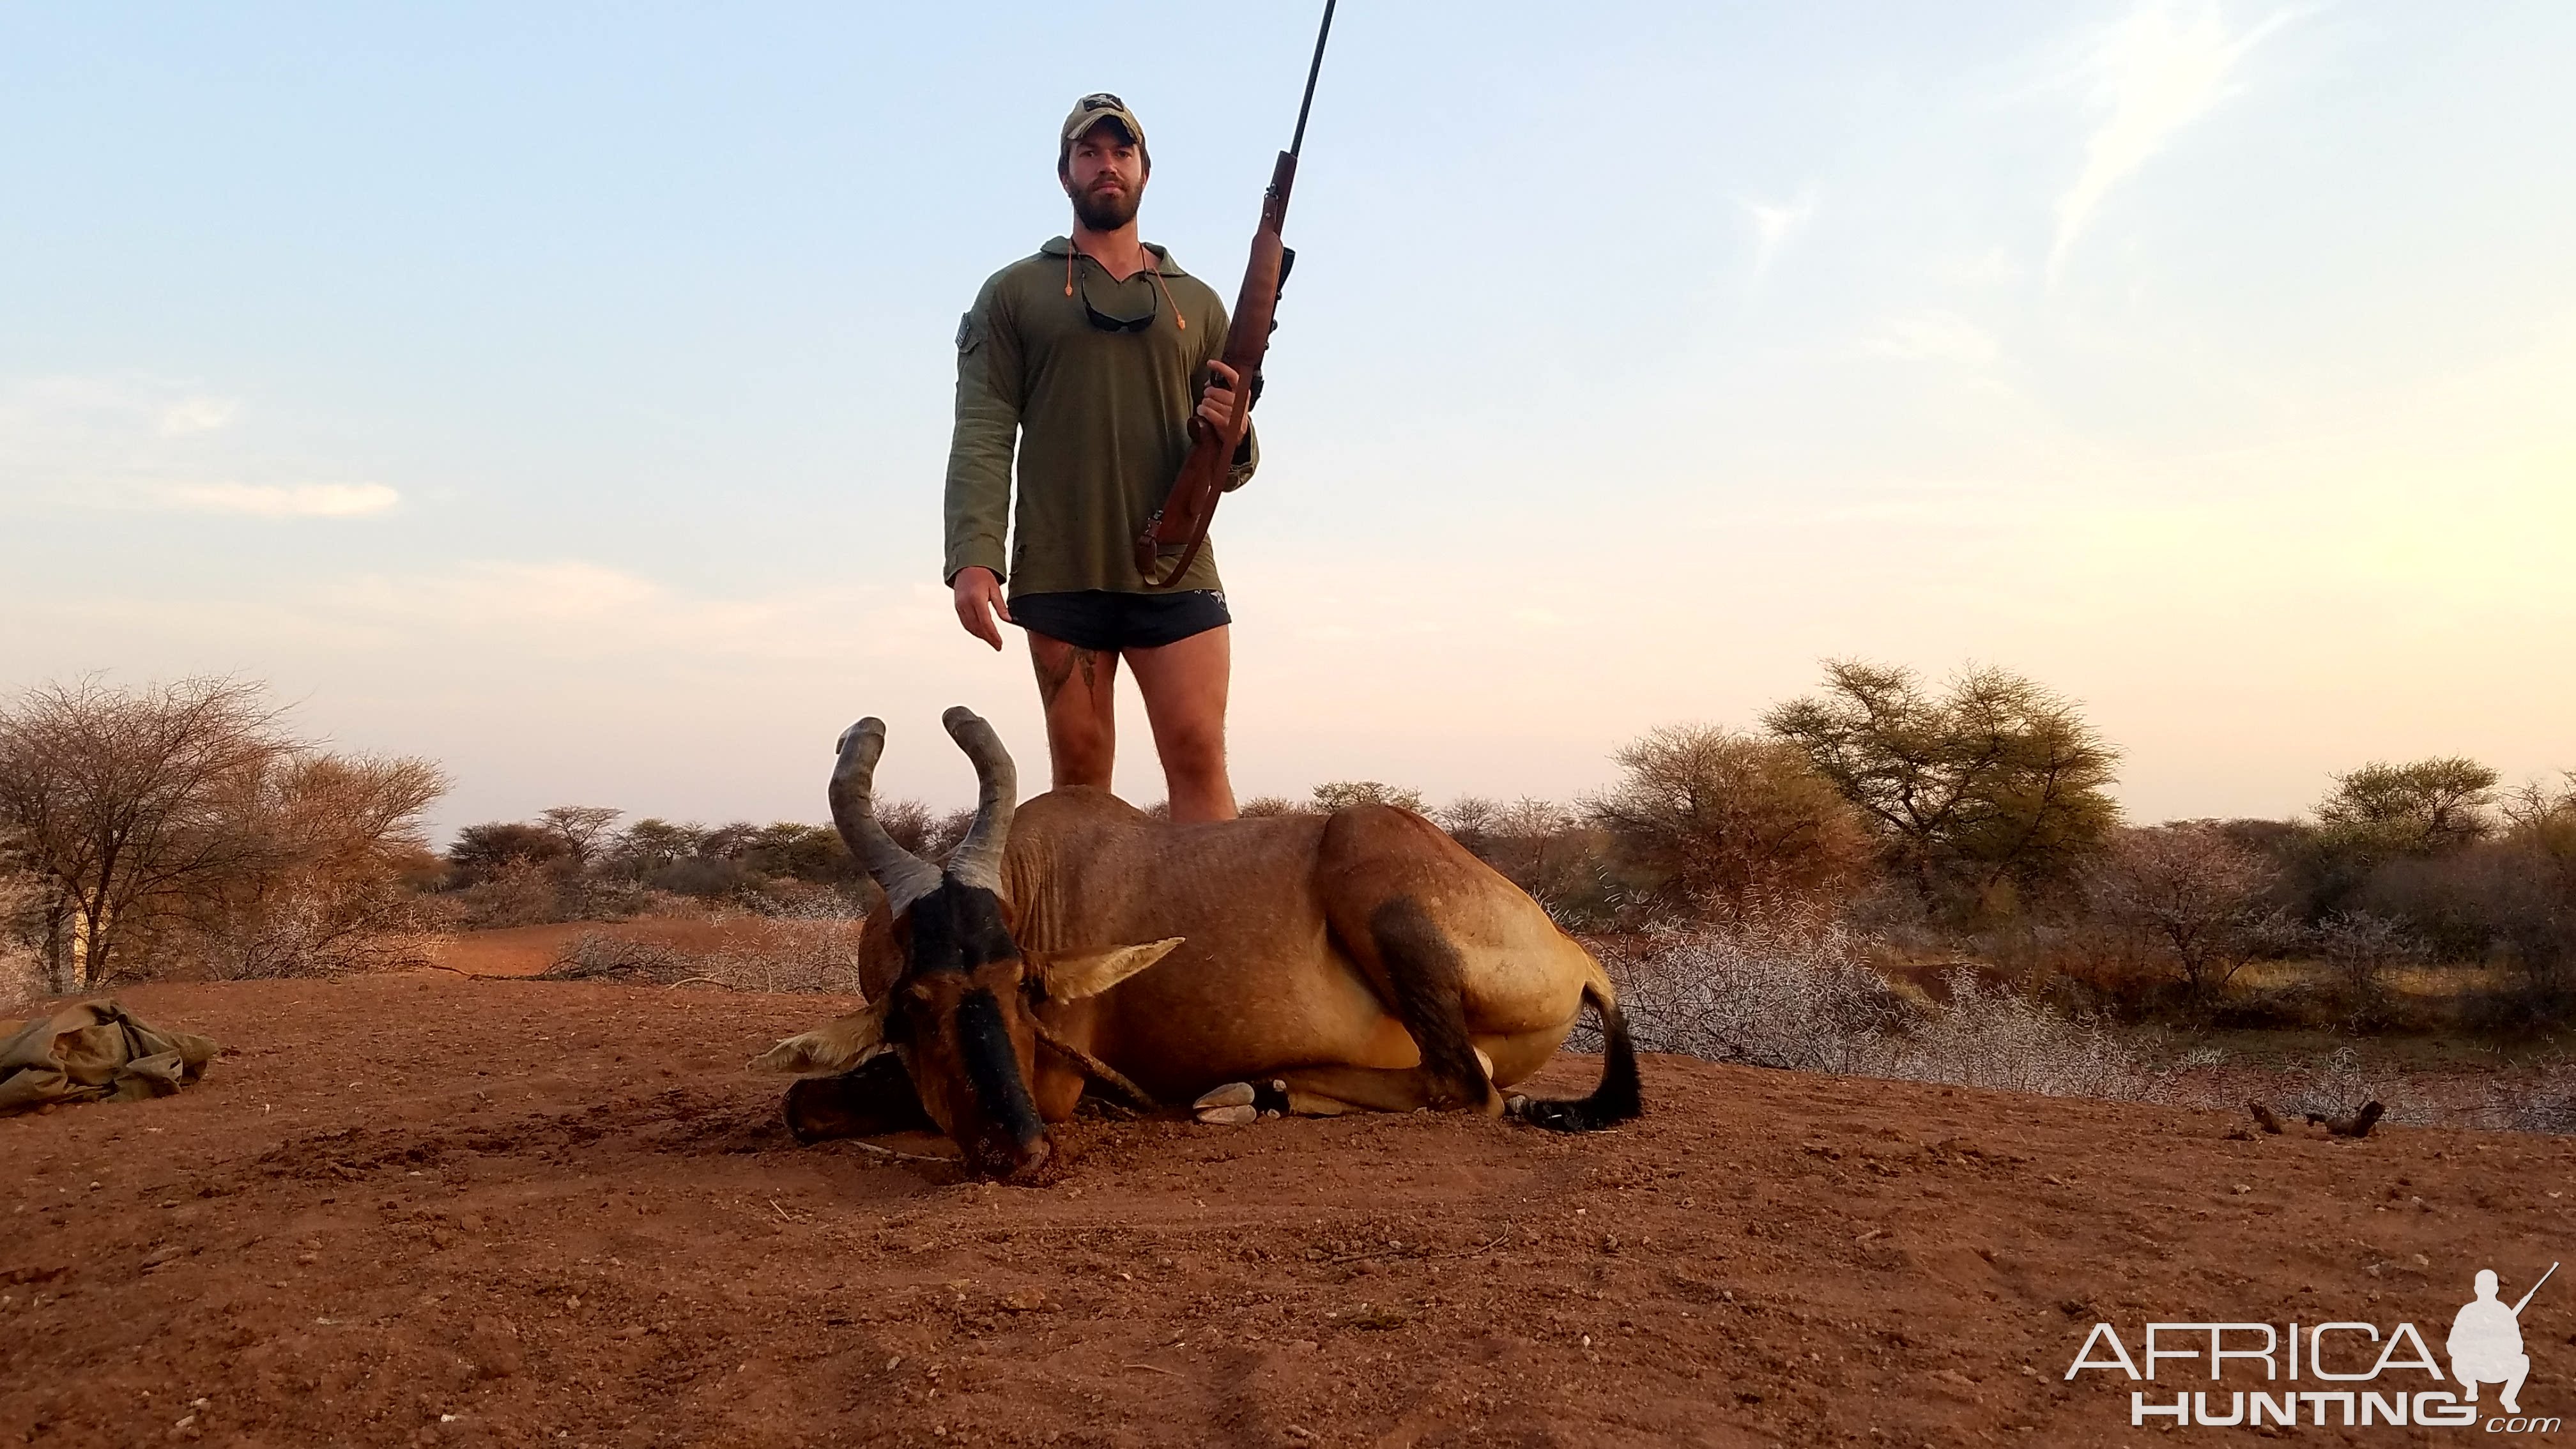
<point>960,1009</point>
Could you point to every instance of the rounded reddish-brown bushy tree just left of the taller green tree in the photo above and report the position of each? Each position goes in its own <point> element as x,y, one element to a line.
<point>1722,821</point>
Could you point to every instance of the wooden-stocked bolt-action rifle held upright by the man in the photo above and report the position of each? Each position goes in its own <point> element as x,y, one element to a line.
<point>1186,512</point>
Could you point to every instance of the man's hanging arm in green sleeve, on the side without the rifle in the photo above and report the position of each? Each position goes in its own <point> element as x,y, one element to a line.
<point>988,429</point>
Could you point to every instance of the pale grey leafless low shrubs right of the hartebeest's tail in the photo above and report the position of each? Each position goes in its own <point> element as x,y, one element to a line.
<point>1794,989</point>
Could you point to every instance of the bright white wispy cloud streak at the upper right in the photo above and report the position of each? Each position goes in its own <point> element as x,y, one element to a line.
<point>2152,76</point>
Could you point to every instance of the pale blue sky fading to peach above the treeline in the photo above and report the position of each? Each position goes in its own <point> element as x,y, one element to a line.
<point>563,391</point>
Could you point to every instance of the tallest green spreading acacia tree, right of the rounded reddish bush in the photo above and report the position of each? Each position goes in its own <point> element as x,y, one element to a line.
<point>1990,785</point>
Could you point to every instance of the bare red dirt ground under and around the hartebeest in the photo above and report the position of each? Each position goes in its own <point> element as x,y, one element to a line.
<point>439,1211</point>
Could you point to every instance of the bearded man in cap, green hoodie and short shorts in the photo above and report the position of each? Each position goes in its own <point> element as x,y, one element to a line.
<point>1094,357</point>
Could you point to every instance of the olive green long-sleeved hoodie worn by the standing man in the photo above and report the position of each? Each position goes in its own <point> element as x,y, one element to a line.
<point>1101,419</point>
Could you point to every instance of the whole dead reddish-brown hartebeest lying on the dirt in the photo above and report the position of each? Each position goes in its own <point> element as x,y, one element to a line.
<point>1305,963</point>
